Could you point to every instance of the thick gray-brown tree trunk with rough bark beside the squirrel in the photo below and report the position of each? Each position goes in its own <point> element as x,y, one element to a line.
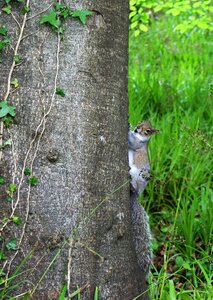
<point>76,220</point>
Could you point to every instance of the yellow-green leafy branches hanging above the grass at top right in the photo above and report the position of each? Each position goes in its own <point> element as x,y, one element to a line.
<point>192,14</point>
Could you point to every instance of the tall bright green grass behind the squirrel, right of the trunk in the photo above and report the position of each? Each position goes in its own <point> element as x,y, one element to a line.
<point>170,83</point>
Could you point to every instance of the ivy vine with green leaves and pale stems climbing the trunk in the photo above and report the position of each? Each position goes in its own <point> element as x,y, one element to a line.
<point>53,17</point>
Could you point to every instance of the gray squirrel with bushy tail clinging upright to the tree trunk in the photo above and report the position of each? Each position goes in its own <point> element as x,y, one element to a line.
<point>140,175</point>
